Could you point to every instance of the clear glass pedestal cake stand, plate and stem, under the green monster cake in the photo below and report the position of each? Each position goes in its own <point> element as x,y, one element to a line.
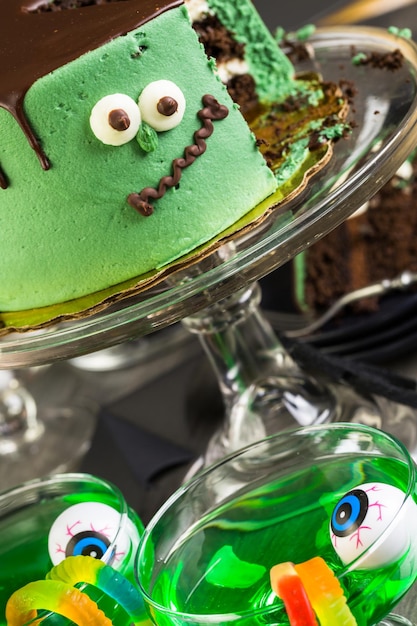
<point>217,296</point>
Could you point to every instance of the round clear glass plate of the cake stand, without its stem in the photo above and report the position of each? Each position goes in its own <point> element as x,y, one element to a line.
<point>385,114</point>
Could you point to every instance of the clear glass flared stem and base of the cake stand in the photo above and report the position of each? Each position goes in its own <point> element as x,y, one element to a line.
<point>264,391</point>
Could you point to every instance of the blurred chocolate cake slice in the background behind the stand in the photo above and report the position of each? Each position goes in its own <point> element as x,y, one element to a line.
<point>378,242</point>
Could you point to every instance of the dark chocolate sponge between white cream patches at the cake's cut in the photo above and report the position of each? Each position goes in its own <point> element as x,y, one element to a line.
<point>218,42</point>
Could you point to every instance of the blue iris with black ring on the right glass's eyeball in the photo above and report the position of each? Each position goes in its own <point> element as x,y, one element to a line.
<point>349,513</point>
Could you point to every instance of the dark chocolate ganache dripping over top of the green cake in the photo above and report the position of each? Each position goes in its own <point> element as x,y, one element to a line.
<point>41,40</point>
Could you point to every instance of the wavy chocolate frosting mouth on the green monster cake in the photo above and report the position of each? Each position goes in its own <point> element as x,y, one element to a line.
<point>212,111</point>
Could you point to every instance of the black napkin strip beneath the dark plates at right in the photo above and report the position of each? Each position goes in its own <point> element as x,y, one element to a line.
<point>363,377</point>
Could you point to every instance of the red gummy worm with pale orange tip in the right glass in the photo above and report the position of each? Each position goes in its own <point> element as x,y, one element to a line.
<point>287,585</point>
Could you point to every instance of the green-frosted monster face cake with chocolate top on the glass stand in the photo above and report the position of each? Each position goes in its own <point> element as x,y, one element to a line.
<point>121,149</point>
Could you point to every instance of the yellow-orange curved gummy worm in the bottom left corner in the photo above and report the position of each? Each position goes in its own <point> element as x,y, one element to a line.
<point>55,596</point>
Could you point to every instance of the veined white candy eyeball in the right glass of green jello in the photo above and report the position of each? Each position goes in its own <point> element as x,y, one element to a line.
<point>373,517</point>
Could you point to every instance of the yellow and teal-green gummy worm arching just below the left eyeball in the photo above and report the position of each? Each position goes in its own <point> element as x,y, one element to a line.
<point>86,569</point>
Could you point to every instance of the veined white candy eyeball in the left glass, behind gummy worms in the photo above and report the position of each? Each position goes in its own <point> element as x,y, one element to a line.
<point>90,529</point>
